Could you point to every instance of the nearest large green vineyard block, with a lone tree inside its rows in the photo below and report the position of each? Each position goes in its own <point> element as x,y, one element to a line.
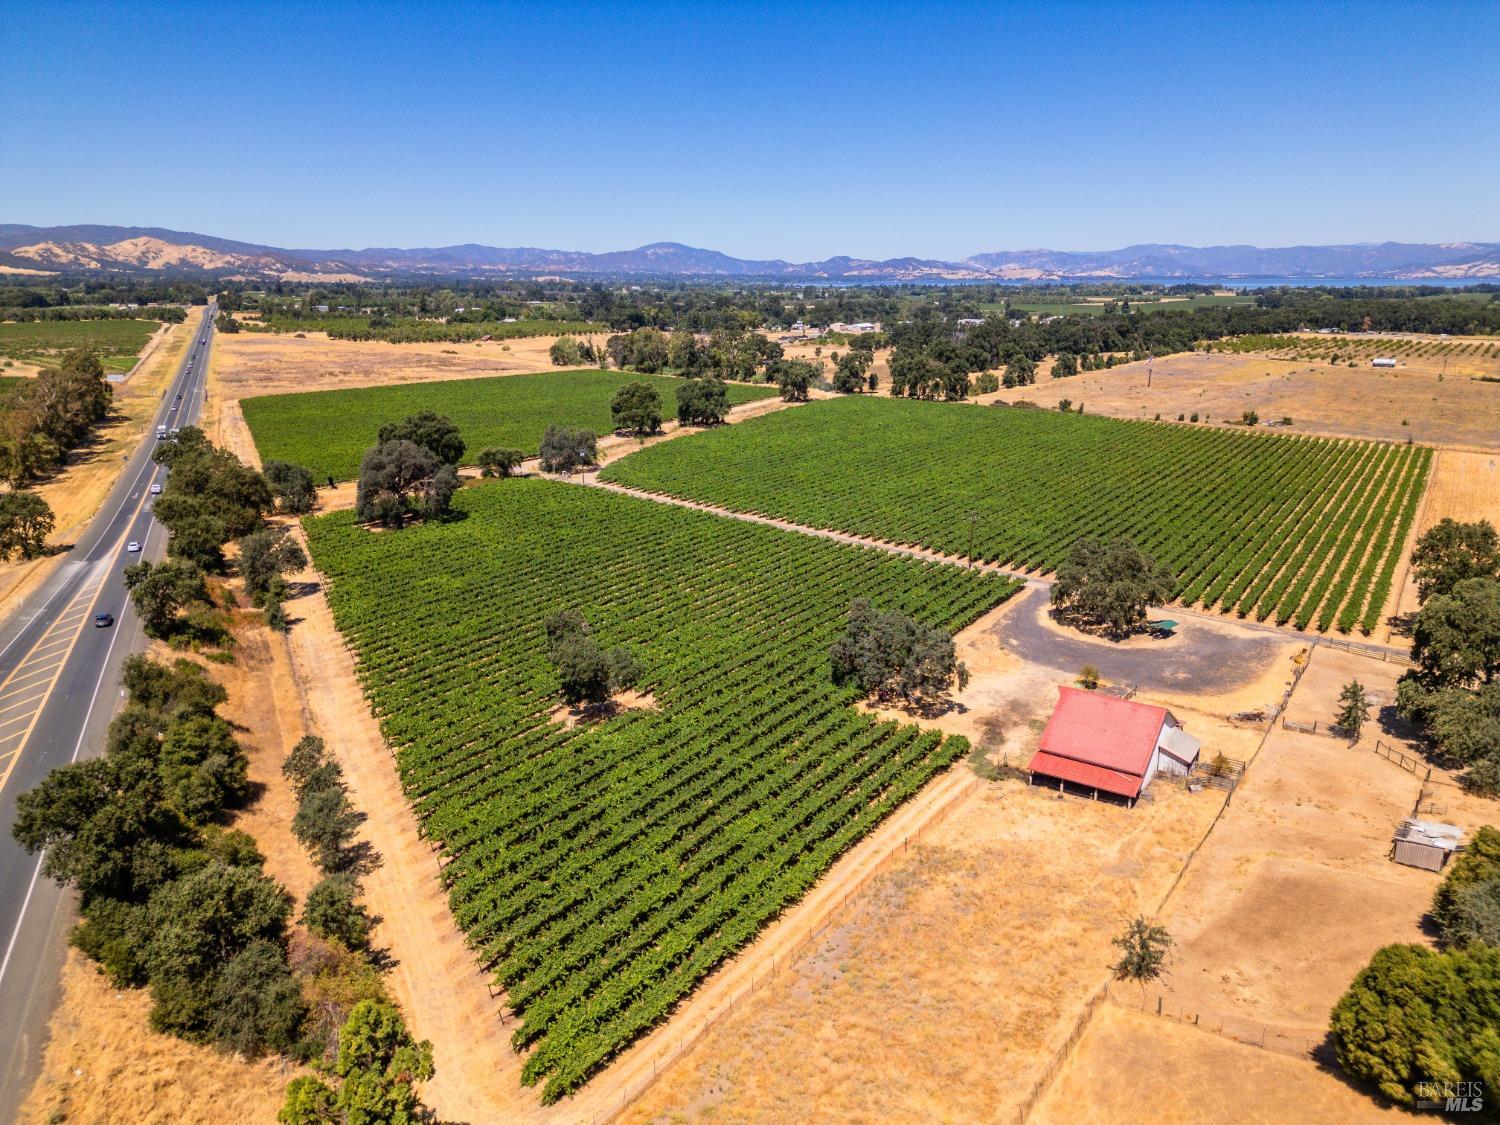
<point>602,872</point>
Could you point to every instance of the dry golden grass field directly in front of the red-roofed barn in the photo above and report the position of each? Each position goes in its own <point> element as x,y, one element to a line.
<point>952,979</point>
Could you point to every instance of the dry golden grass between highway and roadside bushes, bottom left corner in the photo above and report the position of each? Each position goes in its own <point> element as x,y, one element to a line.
<point>103,1064</point>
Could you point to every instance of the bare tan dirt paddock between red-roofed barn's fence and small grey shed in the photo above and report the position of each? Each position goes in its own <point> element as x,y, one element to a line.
<point>1294,892</point>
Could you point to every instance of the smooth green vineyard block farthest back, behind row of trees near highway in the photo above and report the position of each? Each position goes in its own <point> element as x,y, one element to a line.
<point>329,430</point>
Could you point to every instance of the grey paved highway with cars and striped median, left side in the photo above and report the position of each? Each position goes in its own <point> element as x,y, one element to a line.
<point>59,689</point>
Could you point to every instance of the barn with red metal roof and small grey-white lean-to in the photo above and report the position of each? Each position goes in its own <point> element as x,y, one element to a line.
<point>1102,745</point>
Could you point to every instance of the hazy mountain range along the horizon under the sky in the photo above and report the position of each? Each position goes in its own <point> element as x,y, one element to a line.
<point>133,251</point>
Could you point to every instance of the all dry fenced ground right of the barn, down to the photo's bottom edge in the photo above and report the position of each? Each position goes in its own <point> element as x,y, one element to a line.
<point>1288,901</point>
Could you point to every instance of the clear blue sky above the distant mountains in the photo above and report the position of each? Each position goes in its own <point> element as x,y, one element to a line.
<point>791,131</point>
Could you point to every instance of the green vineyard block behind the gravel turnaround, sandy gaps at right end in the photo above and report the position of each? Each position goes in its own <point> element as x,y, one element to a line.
<point>1291,529</point>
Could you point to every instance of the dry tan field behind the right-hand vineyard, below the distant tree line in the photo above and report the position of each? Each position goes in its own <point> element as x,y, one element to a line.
<point>1358,403</point>
